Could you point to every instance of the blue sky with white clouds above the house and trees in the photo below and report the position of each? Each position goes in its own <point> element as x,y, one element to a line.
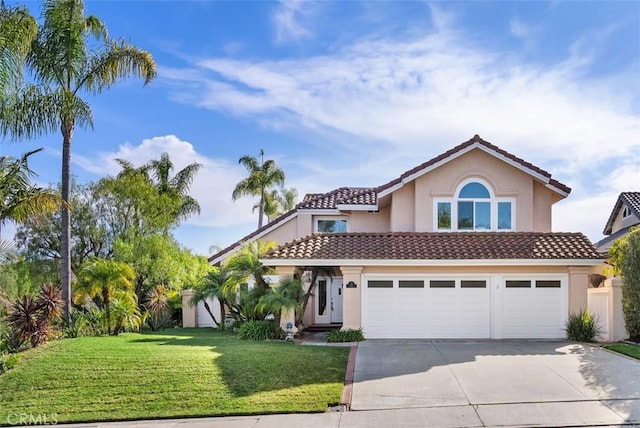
<point>354,93</point>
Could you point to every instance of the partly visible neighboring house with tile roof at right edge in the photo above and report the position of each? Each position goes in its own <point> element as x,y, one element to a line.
<point>625,215</point>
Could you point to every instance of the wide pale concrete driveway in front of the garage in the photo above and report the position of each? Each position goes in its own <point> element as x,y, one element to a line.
<point>498,382</point>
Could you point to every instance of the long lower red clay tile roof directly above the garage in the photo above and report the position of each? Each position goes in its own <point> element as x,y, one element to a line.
<point>438,246</point>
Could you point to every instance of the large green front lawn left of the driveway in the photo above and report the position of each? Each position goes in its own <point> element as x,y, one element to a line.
<point>187,372</point>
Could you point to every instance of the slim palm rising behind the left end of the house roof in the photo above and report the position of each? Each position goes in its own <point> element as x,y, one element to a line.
<point>262,176</point>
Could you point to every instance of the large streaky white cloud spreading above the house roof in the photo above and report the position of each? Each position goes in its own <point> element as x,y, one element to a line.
<point>389,104</point>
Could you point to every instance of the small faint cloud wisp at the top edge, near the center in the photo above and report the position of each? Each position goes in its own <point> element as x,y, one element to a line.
<point>291,20</point>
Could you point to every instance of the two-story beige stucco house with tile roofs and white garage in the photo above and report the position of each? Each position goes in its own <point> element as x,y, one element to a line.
<point>458,247</point>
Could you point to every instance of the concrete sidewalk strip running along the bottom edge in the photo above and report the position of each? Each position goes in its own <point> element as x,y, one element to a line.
<point>580,413</point>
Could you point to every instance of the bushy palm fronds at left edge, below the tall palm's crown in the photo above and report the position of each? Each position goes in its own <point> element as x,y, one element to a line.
<point>19,199</point>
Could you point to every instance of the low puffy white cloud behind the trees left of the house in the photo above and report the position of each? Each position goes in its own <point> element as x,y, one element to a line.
<point>212,186</point>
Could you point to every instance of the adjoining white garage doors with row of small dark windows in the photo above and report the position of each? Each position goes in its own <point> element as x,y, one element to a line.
<point>464,307</point>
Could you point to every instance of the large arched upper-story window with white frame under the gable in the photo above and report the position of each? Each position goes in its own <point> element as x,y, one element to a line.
<point>475,209</point>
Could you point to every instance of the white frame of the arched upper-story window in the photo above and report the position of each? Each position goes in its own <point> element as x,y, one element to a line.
<point>493,209</point>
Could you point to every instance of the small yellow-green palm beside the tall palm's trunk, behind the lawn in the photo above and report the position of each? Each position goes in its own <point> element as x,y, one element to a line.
<point>105,279</point>
